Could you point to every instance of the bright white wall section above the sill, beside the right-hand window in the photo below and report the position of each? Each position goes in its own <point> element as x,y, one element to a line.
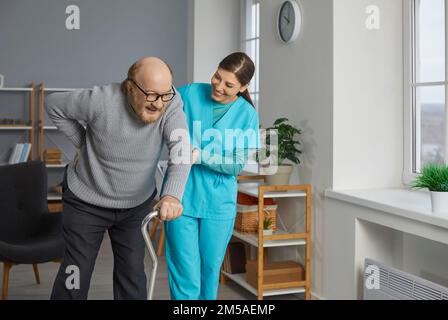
<point>368,96</point>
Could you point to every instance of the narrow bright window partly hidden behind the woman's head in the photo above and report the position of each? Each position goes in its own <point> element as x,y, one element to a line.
<point>250,42</point>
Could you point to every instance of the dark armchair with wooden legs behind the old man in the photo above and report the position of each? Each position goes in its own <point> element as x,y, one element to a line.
<point>29,234</point>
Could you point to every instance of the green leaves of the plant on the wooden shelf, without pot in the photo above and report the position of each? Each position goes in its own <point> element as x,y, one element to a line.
<point>287,142</point>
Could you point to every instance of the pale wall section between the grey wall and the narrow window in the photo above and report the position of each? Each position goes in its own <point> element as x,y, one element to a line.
<point>214,32</point>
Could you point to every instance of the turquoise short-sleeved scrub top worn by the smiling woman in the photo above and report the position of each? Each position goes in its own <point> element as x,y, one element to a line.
<point>209,193</point>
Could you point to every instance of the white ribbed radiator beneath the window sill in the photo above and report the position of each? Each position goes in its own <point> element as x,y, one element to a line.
<point>382,282</point>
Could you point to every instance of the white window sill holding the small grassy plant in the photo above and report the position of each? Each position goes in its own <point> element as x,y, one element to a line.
<point>414,205</point>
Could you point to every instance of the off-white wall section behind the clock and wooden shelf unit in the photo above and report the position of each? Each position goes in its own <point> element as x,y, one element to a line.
<point>296,82</point>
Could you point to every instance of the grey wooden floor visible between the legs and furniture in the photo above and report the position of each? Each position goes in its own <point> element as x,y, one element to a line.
<point>22,285</point>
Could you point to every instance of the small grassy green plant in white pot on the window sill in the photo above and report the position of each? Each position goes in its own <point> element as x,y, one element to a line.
<point>435,178</point>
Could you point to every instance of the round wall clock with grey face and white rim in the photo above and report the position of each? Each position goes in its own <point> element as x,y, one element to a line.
<point>288,21</point>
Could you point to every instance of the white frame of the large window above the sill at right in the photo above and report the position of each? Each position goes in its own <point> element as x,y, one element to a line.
<point>411,131</point>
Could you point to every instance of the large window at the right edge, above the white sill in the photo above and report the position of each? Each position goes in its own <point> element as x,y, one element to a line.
<point>426,84</point>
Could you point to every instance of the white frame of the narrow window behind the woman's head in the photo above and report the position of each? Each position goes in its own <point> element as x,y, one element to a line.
<point>248,19</point>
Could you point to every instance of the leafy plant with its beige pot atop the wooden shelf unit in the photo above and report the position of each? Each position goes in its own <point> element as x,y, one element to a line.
<point>286,150</point>
